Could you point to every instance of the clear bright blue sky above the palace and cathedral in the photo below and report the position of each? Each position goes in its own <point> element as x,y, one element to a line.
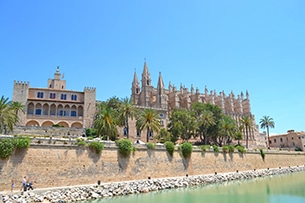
<point>255,46</point>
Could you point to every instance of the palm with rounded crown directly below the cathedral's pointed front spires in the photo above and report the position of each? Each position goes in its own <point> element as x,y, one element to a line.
<point>149,119</point>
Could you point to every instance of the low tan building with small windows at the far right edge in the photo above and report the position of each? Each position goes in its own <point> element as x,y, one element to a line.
<point>291,140</point>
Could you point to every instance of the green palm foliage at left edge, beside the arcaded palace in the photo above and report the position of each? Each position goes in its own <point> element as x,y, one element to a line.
<point>8,116</point>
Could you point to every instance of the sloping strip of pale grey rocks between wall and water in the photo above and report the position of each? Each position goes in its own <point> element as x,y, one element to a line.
<point>91,192</point>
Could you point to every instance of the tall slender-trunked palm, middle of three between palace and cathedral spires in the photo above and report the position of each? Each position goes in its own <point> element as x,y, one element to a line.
<point>127,110</point>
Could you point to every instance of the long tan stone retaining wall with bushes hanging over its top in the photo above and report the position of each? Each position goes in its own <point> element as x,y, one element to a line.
<point>67,165</point>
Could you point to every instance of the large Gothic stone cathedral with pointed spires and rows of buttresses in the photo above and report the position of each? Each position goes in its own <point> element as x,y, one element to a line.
<point>144,95</point>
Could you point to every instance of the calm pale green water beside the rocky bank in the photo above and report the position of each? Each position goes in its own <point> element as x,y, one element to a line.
<point>277,189</point>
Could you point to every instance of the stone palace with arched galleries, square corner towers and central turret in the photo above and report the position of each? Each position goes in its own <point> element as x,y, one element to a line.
<point>55,104</point>
